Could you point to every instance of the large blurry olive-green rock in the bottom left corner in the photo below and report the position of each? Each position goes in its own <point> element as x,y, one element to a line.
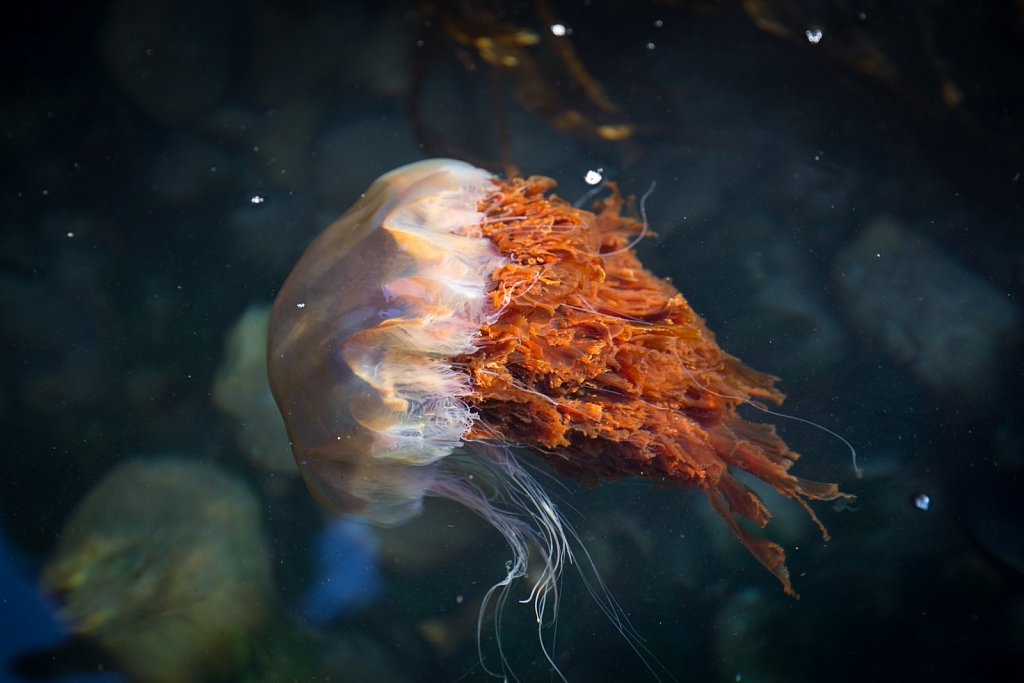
<point>165,565</point>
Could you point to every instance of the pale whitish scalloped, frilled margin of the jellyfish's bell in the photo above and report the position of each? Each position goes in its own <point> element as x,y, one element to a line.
<point>406,358</point>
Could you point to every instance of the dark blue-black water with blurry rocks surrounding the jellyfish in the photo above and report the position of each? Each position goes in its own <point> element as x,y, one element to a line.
<point>839,194</point>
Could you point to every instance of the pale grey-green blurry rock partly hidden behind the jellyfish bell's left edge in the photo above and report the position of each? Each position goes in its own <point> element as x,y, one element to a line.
<point>242,392</point>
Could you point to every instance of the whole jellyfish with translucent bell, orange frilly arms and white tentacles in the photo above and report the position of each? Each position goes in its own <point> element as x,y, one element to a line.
<point>452,321</point>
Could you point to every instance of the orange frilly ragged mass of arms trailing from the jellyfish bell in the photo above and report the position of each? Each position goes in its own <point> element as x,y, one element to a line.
<point>606,368</point>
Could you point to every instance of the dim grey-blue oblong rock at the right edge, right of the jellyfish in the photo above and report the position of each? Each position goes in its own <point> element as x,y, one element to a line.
<point>947,324</point>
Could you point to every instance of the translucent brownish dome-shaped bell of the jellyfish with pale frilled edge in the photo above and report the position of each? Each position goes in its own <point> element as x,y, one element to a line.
<point>363,333</point>
